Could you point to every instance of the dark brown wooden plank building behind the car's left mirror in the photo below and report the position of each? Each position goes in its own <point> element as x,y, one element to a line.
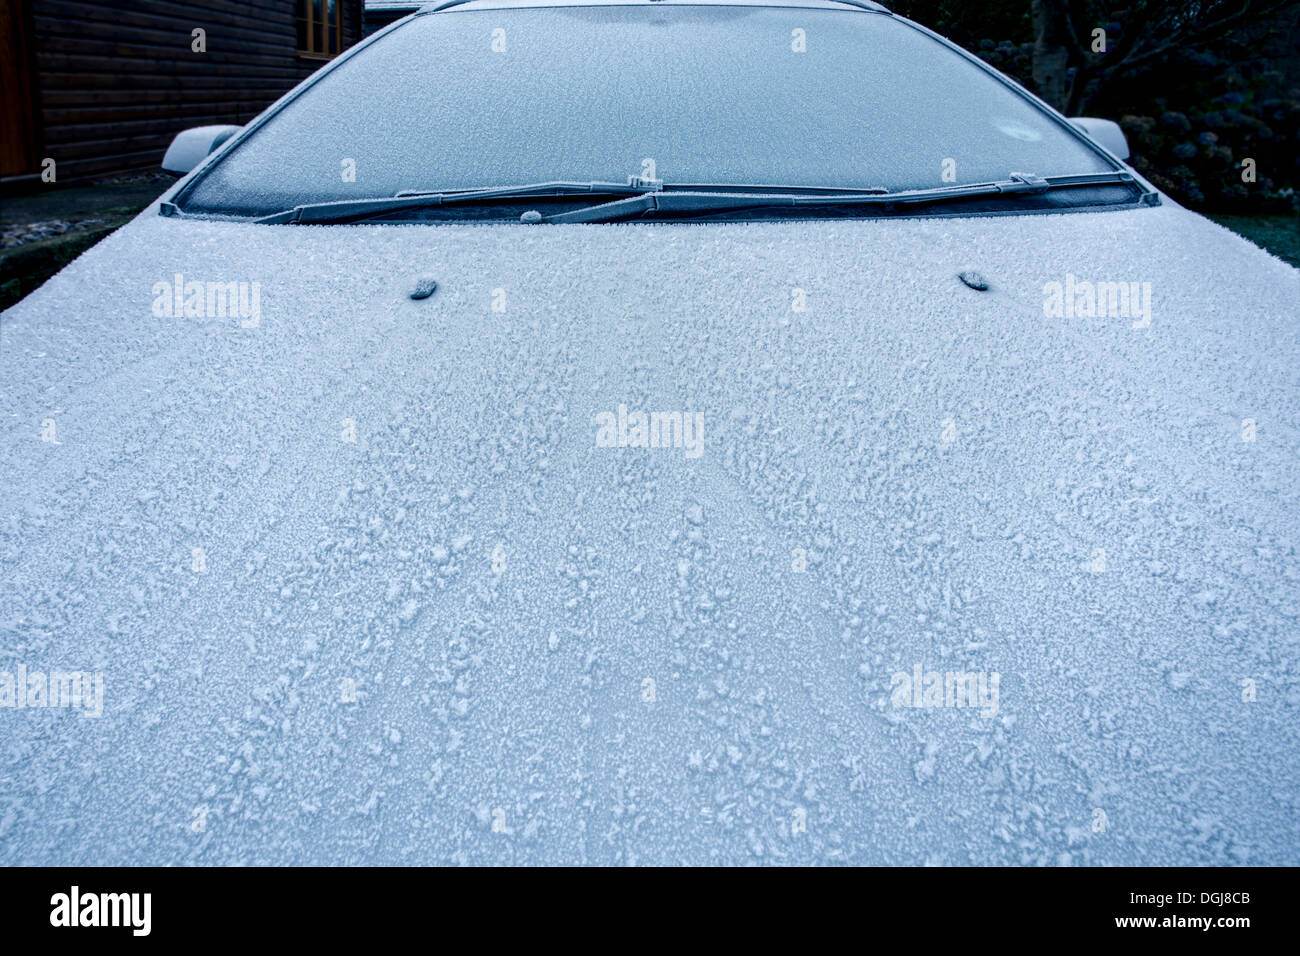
<point>102,86</point>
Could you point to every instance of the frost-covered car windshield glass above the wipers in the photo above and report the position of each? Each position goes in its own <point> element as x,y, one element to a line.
<point>816,98</point>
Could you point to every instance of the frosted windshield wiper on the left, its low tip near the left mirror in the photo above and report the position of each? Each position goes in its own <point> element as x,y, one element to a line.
<point>356,210</point>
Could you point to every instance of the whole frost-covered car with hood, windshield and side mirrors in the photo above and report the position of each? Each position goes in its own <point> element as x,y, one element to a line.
<point>677,432</point>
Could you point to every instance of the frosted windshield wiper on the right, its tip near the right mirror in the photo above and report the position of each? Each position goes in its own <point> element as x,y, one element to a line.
<point>697,202</point>
